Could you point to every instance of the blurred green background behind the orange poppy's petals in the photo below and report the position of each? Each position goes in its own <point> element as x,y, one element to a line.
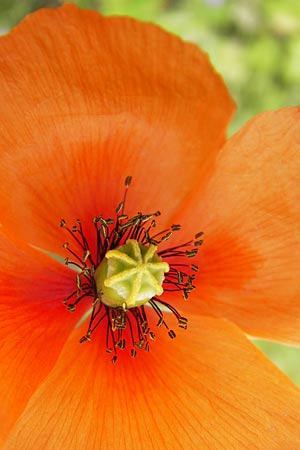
<point>254,44</point>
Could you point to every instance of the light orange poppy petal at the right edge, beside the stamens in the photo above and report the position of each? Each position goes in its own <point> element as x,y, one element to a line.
<point>250,213</point>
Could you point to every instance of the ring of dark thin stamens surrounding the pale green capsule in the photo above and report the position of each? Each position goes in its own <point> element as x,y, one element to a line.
<point>122,322</point>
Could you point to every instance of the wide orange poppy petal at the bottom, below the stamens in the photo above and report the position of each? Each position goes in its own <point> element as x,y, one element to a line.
<point>210,389</point>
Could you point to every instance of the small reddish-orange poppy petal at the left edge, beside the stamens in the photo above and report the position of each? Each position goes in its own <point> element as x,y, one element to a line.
<point>34,324</point>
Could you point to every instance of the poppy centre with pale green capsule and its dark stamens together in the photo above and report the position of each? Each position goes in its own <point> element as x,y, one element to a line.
<point>126,274</point>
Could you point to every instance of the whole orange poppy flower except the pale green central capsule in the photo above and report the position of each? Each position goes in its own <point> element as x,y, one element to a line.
<point>85,102</point>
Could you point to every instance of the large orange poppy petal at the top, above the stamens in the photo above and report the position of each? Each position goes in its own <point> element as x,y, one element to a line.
<point>87,100</point>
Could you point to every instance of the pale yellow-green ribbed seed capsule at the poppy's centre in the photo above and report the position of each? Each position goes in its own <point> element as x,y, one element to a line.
<point>132,274</point>
